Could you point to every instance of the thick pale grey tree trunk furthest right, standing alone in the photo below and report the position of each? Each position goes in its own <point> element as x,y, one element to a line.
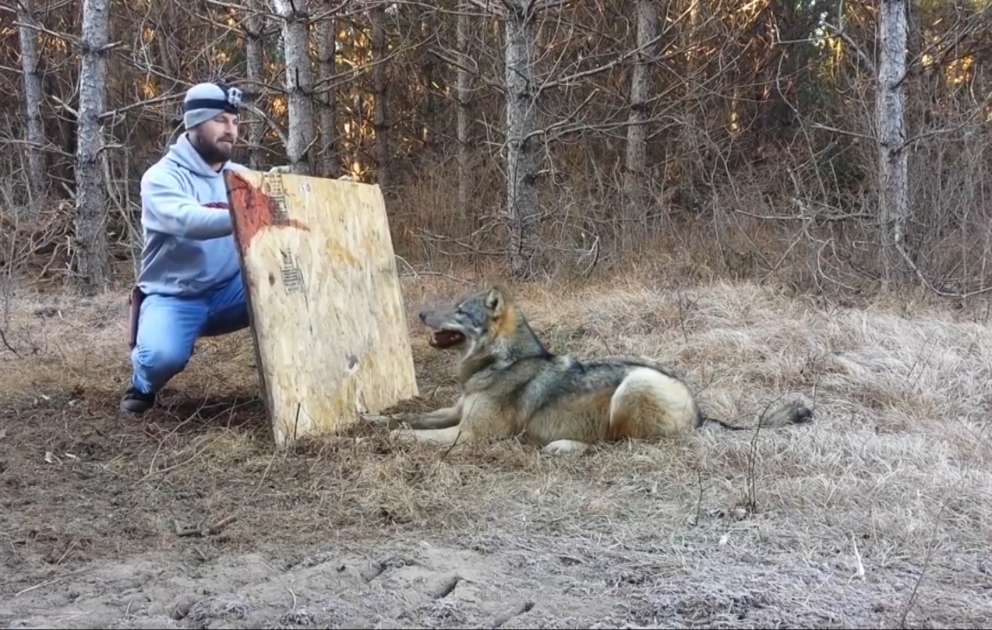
<point>893,170</point>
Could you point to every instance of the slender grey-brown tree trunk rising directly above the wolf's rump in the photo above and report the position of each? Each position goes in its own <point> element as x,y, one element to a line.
<point>636,176</point>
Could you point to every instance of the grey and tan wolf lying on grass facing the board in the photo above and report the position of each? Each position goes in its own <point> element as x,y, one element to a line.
<point>513,386</point>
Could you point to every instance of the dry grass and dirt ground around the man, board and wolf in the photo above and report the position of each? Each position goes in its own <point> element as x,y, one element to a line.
<point>875,515</point>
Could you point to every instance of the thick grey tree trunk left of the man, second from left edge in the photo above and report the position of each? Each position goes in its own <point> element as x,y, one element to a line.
<point>91,198</point>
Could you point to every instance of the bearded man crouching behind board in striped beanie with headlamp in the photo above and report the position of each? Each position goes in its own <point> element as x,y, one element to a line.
<point>190,282</point>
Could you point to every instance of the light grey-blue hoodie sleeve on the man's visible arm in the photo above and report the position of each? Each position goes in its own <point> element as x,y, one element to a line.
<point>171,210</point>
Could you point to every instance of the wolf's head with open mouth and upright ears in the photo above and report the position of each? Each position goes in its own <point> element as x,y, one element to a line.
<point>482,324</point>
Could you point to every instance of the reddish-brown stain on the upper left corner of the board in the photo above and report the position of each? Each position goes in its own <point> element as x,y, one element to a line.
<point>255,208</point>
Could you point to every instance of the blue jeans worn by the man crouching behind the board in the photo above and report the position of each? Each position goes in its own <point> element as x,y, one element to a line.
<point>168,327</point>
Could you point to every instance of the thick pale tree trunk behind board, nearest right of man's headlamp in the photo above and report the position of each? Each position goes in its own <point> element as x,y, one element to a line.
<point>296,49</point>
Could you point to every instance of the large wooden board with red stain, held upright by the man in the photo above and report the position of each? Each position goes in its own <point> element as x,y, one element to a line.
<point>323,290</point>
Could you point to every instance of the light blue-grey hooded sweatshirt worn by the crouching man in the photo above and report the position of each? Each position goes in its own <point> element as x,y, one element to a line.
<point>189,247</point>
